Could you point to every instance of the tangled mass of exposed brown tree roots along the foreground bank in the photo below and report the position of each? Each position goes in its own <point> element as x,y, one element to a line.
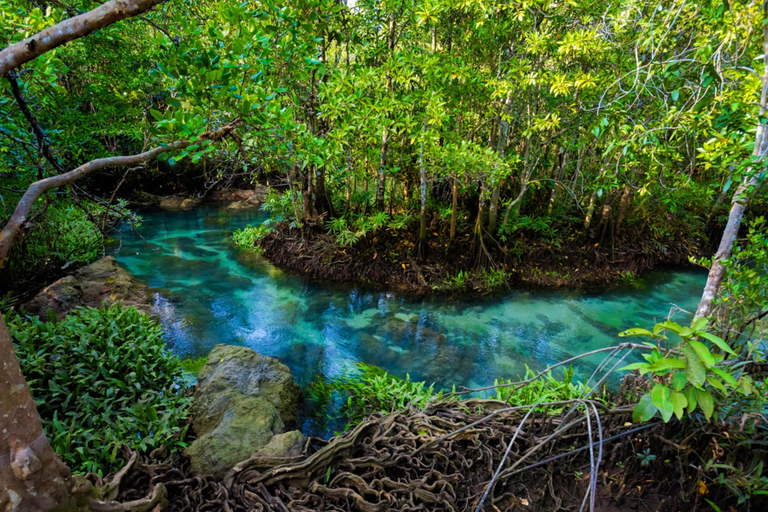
<point>417,460</point>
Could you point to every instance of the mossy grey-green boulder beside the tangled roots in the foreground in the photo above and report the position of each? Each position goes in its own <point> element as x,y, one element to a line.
<point>242,405</point>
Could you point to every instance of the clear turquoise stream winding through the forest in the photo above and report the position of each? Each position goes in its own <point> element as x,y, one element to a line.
<point>211,292</point>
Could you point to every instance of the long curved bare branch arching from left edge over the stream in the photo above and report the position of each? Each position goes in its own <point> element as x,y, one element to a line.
<point>38,188</point>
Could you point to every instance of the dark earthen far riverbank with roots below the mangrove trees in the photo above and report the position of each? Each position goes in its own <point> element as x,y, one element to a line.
<point>387,260</point>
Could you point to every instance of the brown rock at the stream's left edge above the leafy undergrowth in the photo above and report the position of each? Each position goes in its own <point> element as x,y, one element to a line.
<point>99,284</point>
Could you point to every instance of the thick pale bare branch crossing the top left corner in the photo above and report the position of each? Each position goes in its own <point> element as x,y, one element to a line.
<point>70,29</point>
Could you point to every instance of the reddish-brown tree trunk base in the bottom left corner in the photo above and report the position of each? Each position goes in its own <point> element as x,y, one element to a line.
<point>32,477</point>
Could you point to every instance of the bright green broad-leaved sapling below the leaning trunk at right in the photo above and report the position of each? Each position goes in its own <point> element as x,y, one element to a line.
<point>687,374</point>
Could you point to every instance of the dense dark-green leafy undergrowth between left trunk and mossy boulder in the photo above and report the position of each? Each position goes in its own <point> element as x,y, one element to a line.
<point>102,378</point>
